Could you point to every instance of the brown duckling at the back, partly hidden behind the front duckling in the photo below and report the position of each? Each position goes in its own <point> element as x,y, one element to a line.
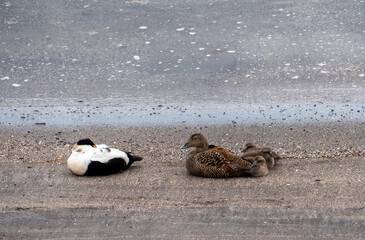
<point>251,150</point>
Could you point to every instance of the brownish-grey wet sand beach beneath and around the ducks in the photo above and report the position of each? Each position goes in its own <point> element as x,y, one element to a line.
<point>315,192</point>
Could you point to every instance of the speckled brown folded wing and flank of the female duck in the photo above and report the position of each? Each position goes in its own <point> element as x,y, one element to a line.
<point>214,164</point>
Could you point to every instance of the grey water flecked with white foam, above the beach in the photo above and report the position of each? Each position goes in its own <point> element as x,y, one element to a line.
<point>190,62</point>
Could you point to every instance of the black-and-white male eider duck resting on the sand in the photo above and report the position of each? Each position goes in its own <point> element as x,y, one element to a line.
<point>88,159</point>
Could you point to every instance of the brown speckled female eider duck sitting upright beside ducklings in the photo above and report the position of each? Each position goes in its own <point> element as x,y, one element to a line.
<point>213,161</point>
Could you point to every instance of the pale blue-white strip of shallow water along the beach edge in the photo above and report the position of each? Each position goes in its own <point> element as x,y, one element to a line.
<point>118,112</point>
